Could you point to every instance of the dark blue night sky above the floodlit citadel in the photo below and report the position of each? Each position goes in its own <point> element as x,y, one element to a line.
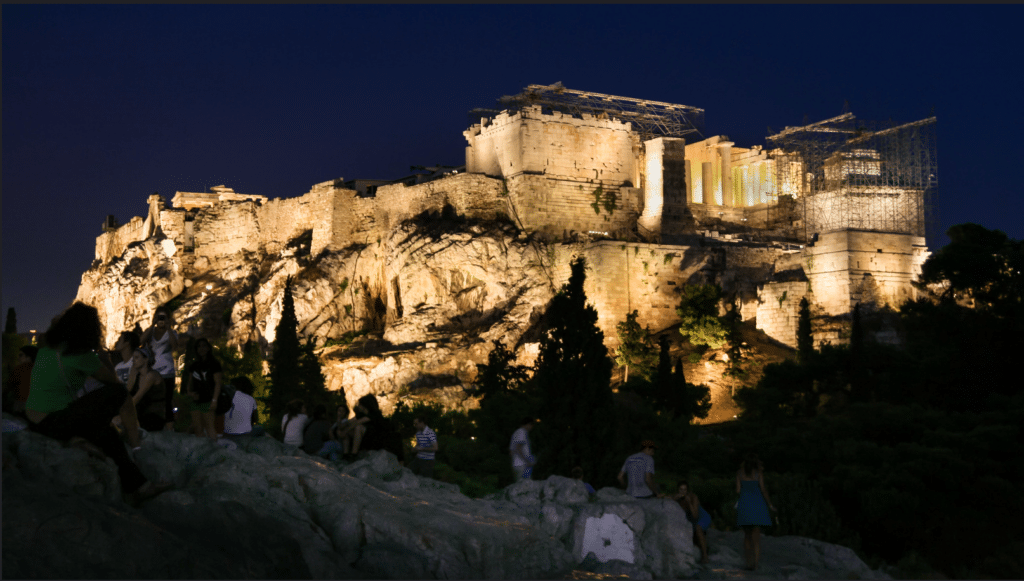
<point>104,106</point>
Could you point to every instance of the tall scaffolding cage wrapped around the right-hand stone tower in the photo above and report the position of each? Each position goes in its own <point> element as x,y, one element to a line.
<point>848,174</point>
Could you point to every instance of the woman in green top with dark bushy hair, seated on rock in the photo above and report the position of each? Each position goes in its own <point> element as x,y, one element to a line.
<point>63,364</point>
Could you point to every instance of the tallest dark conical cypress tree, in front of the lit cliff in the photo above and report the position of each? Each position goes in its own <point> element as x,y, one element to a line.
<point>573,379</point>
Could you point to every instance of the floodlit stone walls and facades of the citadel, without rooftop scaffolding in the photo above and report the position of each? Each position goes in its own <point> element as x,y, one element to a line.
<point>562,176</point>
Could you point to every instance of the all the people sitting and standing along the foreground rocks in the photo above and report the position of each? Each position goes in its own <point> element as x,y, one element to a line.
<point>69,389</point>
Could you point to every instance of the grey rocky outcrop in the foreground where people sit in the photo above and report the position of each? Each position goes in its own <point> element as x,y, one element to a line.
<point>265,510</point>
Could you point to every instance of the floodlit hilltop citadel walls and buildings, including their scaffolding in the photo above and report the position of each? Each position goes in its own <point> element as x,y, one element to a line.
<point>835,212</point>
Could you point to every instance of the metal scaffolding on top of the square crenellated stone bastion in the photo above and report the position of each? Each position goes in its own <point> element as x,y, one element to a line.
<point>650,118</point>
